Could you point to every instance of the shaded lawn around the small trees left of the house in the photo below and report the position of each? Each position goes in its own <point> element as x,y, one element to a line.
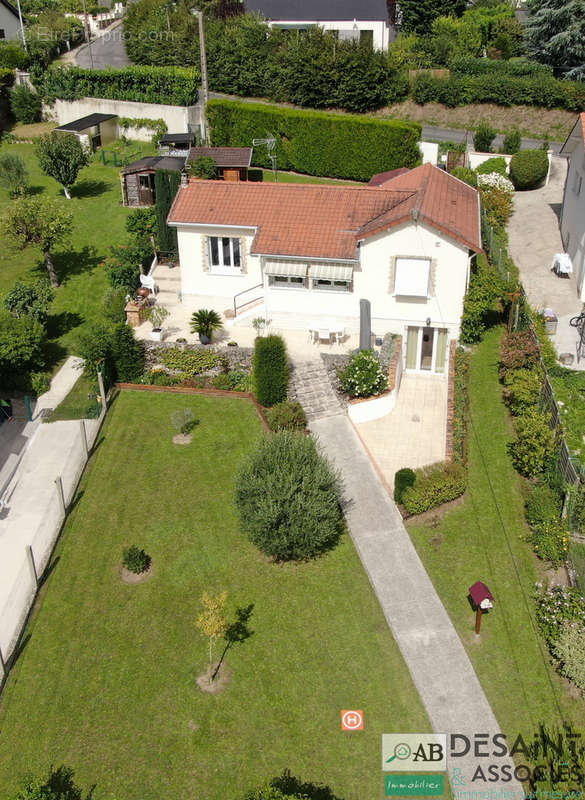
<point>99,221</point>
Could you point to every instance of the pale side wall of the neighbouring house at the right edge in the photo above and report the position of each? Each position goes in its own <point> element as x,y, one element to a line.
<point>573,216</point>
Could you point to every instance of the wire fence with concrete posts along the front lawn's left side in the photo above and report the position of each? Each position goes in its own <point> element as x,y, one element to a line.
<point>32,558</point>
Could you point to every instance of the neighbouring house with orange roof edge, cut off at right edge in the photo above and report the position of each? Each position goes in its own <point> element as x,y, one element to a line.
<point>573,210</point>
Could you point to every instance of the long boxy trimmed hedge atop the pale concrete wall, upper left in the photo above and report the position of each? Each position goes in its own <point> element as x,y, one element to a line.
<point>167,85</point>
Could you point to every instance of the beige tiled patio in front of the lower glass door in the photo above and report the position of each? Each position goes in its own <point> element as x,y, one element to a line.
<point>414,433</point>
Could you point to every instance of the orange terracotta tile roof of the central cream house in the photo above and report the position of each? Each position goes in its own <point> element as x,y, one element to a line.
<point>327,221</point>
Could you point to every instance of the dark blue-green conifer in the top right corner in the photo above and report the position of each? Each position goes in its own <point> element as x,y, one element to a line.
<point>555,34</point>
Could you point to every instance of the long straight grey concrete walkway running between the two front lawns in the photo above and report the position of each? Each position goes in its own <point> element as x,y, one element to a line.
<point>438,663</point>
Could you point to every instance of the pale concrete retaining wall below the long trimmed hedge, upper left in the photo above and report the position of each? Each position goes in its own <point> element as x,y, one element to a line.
<point>179,119</point>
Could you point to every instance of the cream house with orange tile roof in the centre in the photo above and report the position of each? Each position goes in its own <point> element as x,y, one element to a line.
<point>311,252</point>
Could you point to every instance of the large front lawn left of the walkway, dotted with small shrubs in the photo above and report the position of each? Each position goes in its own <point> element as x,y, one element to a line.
<point>106,682</point>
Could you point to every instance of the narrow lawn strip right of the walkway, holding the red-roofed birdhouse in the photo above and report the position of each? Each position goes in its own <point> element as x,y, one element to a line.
<point>485,540</point>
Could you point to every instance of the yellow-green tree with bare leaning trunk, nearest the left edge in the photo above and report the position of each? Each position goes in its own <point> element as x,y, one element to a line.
<point>41,222</point>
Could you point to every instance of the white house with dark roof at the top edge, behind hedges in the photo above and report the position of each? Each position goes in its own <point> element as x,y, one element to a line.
<point>358,20</point>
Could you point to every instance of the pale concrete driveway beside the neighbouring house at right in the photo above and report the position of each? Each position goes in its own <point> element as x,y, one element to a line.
<point>534,239</point>
